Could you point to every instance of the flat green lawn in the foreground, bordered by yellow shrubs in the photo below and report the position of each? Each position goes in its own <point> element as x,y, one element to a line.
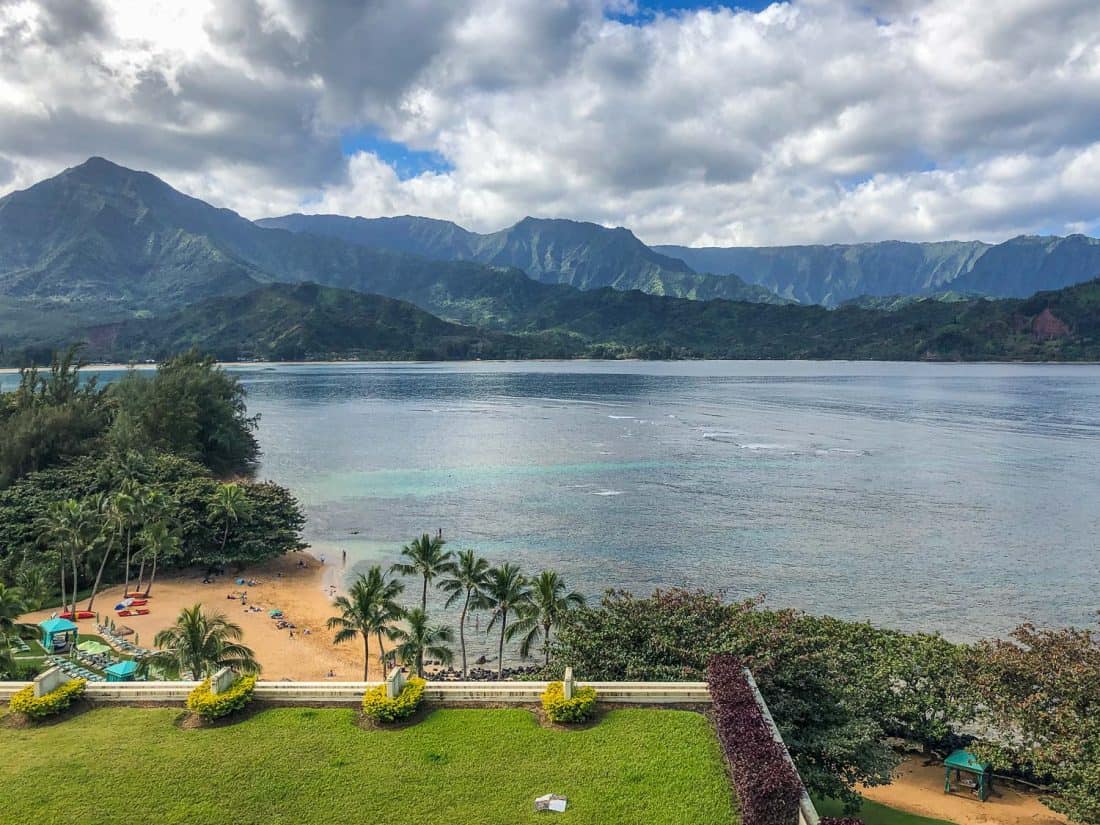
<point>316,766</point>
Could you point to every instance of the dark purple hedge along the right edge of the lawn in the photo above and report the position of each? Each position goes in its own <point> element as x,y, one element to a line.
<point>768,787</point>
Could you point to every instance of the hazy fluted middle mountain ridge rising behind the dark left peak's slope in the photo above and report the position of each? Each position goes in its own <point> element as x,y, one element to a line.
<point>553,251</point>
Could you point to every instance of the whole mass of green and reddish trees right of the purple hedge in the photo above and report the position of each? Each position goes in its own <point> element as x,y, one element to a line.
<point>839,689</point>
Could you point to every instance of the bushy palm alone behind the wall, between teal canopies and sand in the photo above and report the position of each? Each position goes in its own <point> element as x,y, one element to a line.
<point>203,644</point>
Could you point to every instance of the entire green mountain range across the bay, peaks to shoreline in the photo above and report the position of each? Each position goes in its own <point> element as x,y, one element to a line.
<point>120,260</point>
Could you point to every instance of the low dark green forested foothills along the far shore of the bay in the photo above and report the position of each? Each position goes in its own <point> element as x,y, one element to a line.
<point>306,322</point>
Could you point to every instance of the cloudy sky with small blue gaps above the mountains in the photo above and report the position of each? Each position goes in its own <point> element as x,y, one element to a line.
<point>810,122</point>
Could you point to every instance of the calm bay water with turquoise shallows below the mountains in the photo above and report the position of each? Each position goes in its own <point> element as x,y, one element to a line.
<point>962,499</point>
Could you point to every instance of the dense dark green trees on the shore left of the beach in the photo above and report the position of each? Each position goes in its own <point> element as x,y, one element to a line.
<point>105,481</point>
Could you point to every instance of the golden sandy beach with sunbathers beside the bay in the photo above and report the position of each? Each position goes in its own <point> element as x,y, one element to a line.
<point>303,595</point>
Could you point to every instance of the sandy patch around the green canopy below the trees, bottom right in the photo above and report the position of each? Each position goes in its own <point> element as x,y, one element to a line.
<point>920,790</point>
